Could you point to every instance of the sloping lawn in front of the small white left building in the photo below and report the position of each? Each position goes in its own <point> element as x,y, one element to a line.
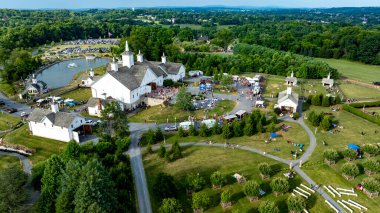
<point>44,147</point>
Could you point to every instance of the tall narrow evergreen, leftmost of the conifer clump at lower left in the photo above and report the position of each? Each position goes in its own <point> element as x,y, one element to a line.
<point>50,183</point>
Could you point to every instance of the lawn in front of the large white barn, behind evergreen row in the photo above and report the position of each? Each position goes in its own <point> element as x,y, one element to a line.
<point>160,114</point>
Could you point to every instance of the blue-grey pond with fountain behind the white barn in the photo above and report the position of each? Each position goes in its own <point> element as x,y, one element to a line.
<point>59,75</point>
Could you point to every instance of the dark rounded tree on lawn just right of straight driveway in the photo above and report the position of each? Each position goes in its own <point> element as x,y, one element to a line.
<point>163,186</point>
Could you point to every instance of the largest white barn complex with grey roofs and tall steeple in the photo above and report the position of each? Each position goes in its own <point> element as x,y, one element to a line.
<point>128,82</point>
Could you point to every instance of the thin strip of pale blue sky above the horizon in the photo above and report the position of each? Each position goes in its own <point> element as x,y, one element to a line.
<point>70,4</point>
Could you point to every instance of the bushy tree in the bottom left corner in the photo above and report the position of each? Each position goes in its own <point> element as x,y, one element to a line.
<point>12,193</point>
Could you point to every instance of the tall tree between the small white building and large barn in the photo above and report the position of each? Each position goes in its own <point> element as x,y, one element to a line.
<point>115,120</point>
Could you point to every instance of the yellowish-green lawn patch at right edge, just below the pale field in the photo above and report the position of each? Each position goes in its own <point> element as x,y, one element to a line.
<point>359,92</point>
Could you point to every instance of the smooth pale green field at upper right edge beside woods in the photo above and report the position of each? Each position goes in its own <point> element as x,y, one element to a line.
<point>355,70</point>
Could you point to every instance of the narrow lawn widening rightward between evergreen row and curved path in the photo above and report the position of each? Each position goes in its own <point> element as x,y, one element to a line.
<point>278,147</point>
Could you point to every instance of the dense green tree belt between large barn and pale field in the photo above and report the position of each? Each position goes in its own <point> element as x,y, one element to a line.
<point>255,58</point>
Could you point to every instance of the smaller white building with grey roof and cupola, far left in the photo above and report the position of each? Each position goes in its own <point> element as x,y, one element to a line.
<point>56,125</point>
